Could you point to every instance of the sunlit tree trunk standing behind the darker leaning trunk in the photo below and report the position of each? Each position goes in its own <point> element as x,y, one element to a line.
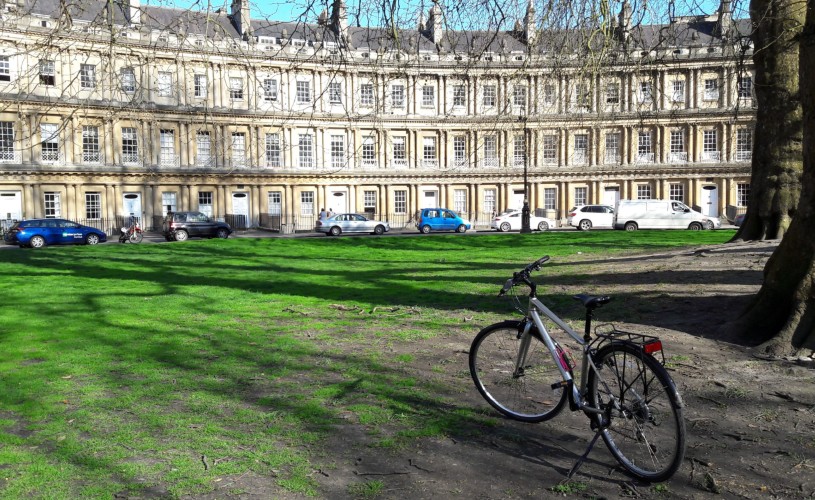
<point>776,173</point>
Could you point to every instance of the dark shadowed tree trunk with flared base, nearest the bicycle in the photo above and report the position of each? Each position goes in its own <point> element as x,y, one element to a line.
<point>782,315</point>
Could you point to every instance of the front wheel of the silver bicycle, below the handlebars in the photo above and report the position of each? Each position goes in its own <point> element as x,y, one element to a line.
<point>528,397</point>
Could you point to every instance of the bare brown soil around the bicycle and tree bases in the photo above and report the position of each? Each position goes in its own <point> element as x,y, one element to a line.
<point>750,421</point>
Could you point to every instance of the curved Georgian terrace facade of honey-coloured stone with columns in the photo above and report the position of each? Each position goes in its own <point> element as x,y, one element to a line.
<point>266,126</point>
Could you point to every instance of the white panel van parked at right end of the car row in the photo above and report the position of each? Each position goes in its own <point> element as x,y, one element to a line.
<point>660,214</point>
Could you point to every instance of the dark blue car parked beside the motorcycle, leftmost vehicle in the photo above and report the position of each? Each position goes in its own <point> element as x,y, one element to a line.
<point>38,233</point>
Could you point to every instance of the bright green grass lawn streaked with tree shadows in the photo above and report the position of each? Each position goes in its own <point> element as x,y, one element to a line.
<point>160,368</point>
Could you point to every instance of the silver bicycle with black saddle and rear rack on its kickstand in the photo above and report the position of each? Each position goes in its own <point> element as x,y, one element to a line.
<point>624,390</point>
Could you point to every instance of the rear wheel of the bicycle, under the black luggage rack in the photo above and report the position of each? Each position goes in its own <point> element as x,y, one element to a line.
<point>646,431</point>
